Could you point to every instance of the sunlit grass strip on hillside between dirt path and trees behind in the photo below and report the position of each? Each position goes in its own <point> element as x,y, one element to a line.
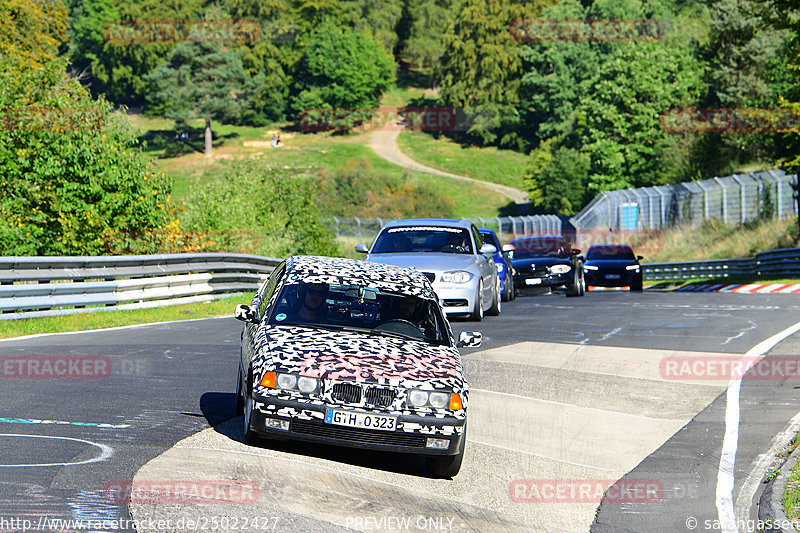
<point>505,167</point>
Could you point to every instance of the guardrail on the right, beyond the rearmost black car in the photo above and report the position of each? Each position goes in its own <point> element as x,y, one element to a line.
<point>780,262</point>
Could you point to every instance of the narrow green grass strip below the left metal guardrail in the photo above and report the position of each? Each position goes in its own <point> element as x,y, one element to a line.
<point>109,319</point>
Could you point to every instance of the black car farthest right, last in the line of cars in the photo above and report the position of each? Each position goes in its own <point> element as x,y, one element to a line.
<point>613,265</point>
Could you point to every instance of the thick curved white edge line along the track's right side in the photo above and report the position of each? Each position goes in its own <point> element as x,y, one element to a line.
<point>727,462</point>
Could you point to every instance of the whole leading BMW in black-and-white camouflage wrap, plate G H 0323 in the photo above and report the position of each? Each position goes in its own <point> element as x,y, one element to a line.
<point>357,354</point>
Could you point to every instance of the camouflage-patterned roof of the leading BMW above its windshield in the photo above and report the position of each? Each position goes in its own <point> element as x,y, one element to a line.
<point>318,269</point>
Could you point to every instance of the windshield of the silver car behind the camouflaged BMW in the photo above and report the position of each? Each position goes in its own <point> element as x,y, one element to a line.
<point>423,239</point>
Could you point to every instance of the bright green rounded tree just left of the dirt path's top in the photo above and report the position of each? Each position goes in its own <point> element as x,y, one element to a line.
<point>341,69</point>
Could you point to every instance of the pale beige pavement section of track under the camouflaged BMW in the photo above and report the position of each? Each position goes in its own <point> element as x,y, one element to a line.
<point>551,427</point>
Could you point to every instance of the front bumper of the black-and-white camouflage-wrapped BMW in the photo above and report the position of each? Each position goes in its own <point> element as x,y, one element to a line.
<point>307,423</point>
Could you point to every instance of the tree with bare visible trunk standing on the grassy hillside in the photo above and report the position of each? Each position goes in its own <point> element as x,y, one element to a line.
<point>201,80</point>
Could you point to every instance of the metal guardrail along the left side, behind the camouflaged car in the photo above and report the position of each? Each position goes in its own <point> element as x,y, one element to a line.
<point>44,286</point>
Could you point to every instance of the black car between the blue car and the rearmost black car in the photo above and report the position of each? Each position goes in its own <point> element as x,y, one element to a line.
<point>546,261</point>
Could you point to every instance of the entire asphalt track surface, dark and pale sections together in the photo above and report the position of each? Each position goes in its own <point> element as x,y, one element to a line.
<point>567,390</point>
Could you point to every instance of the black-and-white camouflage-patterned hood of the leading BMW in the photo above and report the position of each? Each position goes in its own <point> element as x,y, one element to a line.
<point>329,354</point>
